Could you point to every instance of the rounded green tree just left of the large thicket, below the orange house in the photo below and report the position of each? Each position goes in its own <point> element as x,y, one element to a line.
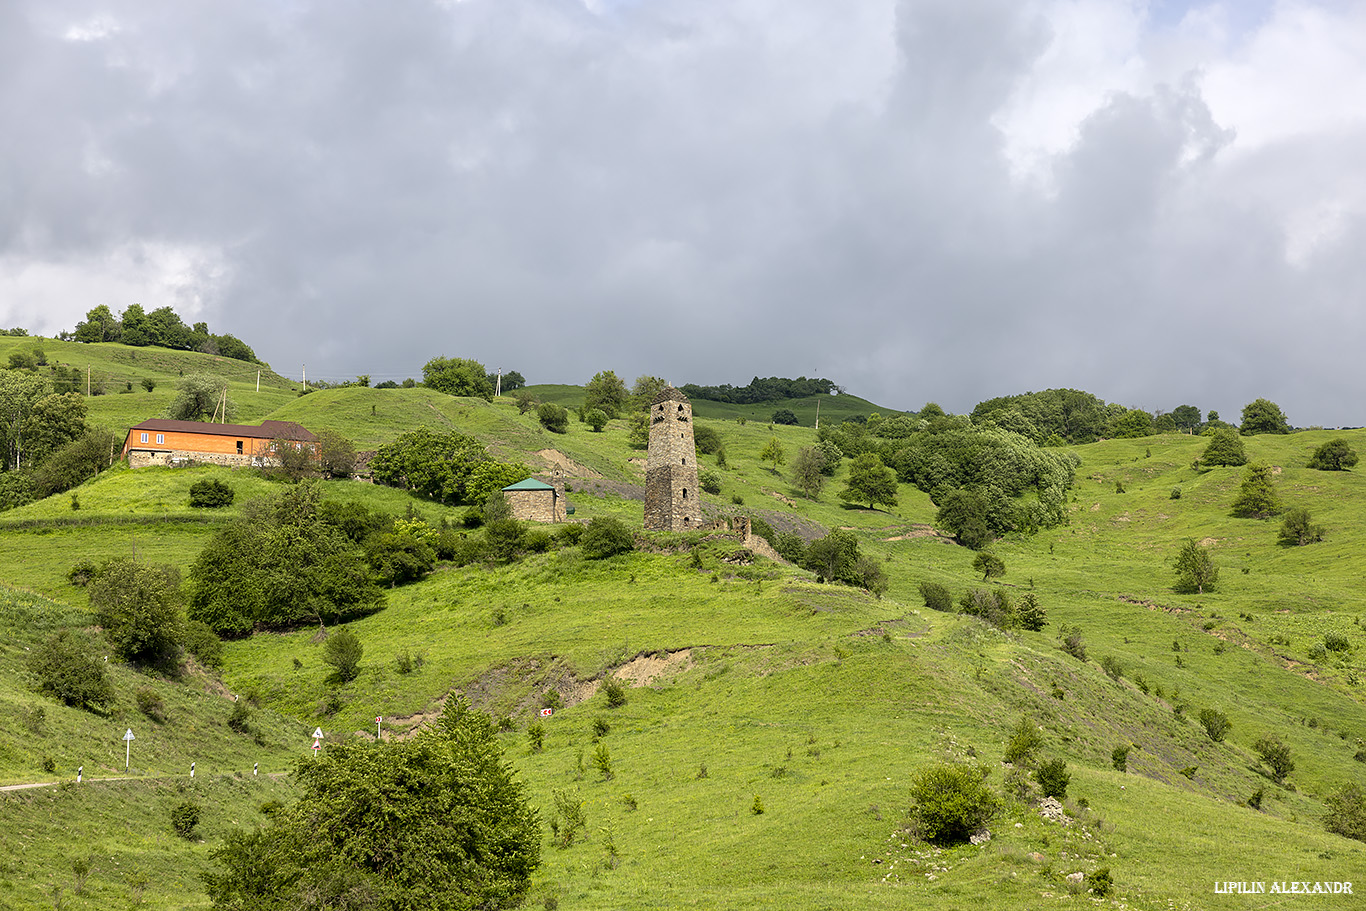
<point>140,608</point>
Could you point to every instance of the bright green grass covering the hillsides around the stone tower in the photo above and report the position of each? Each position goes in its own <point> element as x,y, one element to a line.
<point>753,686</point>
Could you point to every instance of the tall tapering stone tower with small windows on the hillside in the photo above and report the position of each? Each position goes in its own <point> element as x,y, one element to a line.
<point>671,490</point>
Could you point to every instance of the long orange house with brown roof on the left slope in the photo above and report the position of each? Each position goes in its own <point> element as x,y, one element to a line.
<point>162,442</point>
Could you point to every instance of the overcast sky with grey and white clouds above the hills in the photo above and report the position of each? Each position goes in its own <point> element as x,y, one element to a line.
<point>1158,201</point>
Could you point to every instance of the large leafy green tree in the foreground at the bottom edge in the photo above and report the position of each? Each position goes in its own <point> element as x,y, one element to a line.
<point>436,822</point>
